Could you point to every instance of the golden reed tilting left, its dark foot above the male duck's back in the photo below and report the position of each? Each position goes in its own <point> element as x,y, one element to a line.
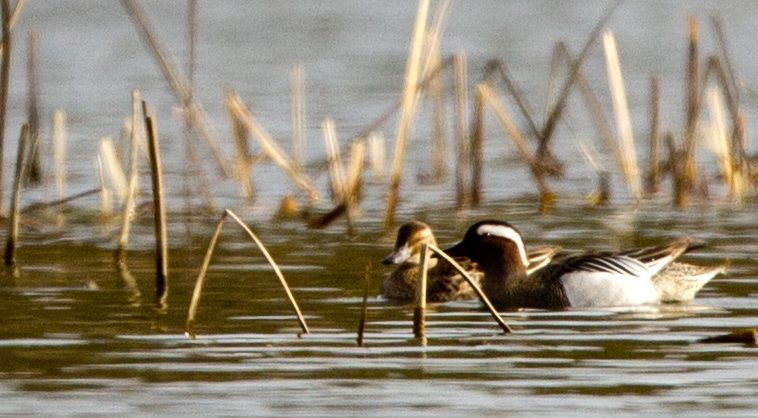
<point>510,129</point>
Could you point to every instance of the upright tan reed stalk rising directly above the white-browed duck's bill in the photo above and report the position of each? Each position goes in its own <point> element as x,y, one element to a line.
<point>461,133</point>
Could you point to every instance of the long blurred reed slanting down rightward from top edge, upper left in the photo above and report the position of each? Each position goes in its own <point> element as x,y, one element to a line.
<point>179,85</point>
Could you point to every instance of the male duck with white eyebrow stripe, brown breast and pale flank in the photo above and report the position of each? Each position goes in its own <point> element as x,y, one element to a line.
<point>636,277</point>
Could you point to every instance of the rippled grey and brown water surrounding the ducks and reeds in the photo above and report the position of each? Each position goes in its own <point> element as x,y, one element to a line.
<point>77,337</point>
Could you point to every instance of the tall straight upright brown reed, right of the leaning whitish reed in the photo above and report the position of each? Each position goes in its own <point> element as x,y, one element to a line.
<point>692,113</point>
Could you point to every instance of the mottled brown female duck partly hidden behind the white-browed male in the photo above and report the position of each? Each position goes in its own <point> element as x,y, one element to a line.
<point>444,282</point>
